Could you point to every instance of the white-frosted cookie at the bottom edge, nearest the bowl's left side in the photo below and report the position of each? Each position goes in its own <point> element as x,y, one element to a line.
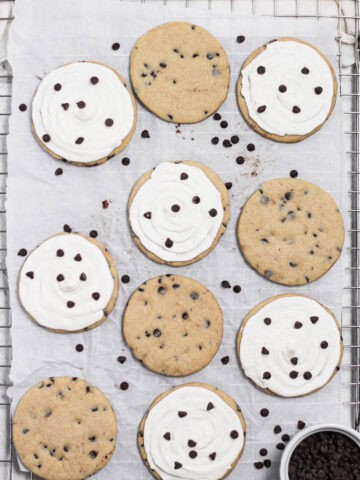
<point>190,432</point>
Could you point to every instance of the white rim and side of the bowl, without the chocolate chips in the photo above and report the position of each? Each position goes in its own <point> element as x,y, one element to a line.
<point>322,427</point>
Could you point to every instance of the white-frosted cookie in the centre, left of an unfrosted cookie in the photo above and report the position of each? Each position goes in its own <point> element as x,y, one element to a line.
<point>178,212</point>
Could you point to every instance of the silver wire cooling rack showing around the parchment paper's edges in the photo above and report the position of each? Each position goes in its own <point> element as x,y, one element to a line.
<point>346,15</point>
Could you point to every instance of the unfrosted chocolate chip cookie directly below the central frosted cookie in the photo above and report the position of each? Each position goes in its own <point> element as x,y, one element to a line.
<point>173,325</point>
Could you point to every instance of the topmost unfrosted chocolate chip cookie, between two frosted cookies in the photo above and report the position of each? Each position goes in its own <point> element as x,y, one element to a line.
<point>180,72</point>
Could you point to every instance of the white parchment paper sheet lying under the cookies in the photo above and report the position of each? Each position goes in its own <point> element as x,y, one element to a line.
<point>47,34</point>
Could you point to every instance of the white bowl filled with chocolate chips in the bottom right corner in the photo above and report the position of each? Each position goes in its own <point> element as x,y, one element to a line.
<point>322,452</point>
